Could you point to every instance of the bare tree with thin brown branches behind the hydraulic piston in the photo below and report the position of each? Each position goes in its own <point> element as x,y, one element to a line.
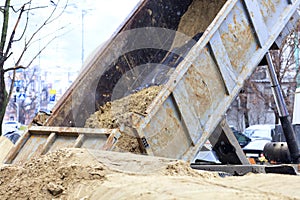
<point>284,63</point>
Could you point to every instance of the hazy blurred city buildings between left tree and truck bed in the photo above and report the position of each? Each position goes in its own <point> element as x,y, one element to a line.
<point>36,89</point>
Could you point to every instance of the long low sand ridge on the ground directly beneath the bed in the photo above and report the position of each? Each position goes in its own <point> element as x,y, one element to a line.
<point>60,174</point>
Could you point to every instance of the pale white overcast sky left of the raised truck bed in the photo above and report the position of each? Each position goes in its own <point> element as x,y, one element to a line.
<point>100,21</point>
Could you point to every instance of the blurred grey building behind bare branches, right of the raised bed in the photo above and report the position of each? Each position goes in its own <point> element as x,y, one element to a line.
<point>256,104</point>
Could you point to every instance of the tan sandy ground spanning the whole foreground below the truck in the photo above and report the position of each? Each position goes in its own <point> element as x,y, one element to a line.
<point>89,174</point>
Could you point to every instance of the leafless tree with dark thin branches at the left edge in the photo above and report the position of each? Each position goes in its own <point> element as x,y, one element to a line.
<point>27,36</point>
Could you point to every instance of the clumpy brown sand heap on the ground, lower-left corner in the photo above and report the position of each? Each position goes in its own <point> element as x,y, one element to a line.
<point>49,176</point>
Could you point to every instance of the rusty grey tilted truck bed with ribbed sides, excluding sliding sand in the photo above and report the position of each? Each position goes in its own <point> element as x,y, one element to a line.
<point>196,95</point>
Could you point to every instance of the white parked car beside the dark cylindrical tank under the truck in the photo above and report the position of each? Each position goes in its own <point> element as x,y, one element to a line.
<point>260,135</point>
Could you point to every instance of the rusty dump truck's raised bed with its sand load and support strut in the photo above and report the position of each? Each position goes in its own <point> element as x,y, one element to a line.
<point>185,61</point>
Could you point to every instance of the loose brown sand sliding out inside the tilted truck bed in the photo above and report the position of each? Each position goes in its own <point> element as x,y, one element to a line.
<point>116,113</point>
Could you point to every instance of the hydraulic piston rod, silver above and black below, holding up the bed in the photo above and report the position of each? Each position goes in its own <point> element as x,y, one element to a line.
<point>283,112</point>
